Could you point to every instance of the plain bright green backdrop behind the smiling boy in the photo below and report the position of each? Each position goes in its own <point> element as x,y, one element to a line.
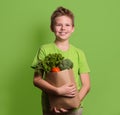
<point>24,26</point>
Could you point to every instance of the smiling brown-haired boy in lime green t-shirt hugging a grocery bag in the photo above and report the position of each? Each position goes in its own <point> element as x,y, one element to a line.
<point>62,25</point>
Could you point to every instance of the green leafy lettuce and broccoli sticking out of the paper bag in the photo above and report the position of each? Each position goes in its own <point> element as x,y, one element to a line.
<point>51,61</point>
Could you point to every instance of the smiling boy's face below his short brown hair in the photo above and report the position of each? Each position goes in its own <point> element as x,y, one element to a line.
<point>63,27</point>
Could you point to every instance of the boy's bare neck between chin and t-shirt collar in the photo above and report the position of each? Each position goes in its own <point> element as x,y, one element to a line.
<point>62,45</point>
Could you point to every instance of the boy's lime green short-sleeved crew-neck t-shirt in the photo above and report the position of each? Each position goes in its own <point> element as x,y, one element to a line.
<point>74,54</point>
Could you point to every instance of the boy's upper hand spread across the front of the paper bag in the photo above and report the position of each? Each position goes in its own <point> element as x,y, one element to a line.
<point>68,90</point>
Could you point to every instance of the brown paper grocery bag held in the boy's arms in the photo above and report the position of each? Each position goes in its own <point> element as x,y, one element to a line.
<point>58,79</point>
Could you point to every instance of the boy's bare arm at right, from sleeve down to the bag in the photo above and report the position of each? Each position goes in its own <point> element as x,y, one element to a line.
<point>85,80</point>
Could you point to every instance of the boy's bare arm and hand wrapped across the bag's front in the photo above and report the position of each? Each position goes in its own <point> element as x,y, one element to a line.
<point>65,90</point>
